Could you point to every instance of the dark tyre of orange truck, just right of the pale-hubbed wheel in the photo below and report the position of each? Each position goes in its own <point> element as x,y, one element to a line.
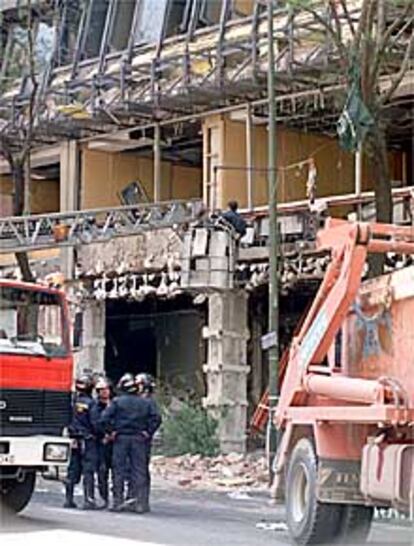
<point>355,524</point>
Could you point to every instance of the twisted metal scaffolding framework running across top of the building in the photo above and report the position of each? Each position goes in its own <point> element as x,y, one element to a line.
<point>223,65</point>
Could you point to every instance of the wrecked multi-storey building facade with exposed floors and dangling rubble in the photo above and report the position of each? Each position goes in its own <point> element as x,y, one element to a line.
<point>139,103</point>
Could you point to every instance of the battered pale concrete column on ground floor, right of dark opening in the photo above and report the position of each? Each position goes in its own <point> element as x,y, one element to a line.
<point>226,367</point>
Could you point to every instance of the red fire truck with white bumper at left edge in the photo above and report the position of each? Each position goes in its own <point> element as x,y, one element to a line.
<point>35,387</point>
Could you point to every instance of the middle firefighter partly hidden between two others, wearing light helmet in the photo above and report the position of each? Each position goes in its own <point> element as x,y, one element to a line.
<point>104,441</point>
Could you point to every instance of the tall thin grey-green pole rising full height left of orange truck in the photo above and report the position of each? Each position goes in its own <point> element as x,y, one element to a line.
<point>273,351</point>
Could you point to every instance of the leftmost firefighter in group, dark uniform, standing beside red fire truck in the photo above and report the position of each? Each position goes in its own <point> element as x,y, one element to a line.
<point>82,430</point>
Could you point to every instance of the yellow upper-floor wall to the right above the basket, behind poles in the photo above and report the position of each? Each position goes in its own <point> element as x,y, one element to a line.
<point>335,167</point>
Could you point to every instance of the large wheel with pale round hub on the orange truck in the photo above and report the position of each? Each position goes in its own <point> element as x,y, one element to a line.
<point>309,521</point>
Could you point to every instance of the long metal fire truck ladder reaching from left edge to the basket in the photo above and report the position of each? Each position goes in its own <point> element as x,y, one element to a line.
<point>74,228</point>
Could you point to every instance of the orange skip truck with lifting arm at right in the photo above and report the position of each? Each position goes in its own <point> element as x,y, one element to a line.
<point>345,414</point>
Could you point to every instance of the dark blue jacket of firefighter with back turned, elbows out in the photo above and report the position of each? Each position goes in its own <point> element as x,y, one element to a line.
<point>131,415</point>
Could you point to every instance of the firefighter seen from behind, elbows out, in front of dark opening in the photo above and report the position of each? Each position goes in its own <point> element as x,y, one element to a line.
<point>133,420</point>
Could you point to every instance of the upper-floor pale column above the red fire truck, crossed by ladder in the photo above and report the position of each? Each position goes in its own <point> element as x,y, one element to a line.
<point>69,184</point>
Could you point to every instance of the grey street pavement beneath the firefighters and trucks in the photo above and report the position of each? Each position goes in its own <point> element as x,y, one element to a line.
<point>179,518</point>
